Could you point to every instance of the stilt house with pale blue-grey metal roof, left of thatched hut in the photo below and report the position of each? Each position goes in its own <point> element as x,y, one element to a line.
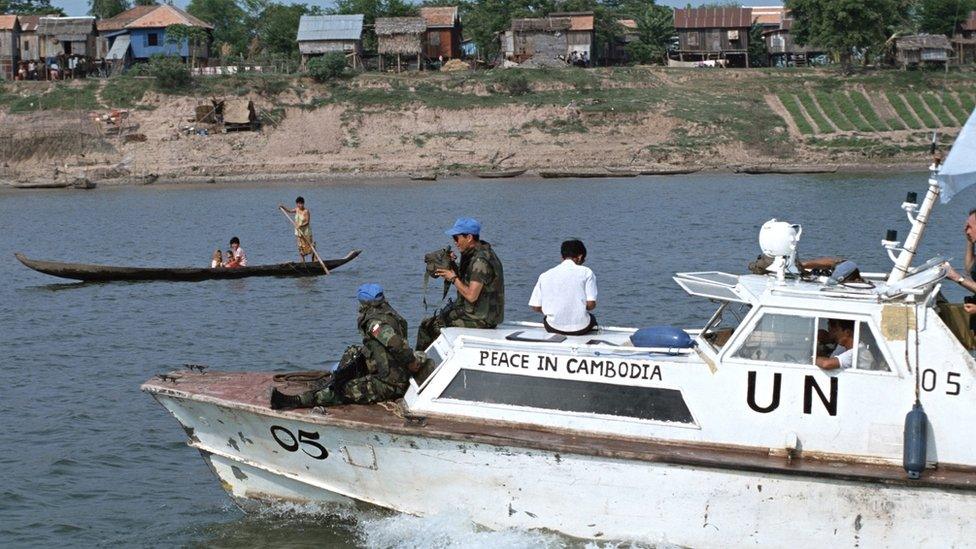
<point>322,34</point>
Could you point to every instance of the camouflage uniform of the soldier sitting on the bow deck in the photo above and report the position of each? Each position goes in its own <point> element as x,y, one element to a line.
<point>383,356</point>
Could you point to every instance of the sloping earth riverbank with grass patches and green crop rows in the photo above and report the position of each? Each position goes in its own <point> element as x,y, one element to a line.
<point>615,122</point>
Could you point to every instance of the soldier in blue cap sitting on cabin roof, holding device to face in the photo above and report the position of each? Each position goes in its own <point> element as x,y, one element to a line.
<point>479,281</point>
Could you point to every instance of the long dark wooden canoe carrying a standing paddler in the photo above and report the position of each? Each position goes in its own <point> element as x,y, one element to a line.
<point>105,273</point>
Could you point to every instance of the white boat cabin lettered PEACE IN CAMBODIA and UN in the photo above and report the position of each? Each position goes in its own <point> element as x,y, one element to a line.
<point>754,362</point>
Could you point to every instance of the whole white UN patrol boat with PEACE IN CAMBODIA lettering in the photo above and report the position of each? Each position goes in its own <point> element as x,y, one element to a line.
<point>732,438</point>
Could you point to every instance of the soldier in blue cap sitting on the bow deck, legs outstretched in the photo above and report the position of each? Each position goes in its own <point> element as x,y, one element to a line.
<point>375,371</point>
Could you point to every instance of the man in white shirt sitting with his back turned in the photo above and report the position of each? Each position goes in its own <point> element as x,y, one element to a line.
<point>566,293</point>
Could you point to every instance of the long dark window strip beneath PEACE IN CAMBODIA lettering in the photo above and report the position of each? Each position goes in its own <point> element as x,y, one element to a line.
<point>654,403</point>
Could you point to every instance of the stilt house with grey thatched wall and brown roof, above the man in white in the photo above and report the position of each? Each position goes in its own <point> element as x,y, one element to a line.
<point>550,40</point>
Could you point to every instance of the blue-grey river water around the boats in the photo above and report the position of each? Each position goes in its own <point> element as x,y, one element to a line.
<point>88,459</point>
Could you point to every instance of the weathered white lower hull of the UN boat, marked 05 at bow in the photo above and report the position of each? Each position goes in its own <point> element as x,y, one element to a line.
<point>305,457</point>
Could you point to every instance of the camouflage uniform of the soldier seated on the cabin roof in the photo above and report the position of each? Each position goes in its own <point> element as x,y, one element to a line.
<point>477,264</point>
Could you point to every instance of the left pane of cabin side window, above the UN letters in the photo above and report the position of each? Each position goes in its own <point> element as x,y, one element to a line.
<point>780,338</point>
